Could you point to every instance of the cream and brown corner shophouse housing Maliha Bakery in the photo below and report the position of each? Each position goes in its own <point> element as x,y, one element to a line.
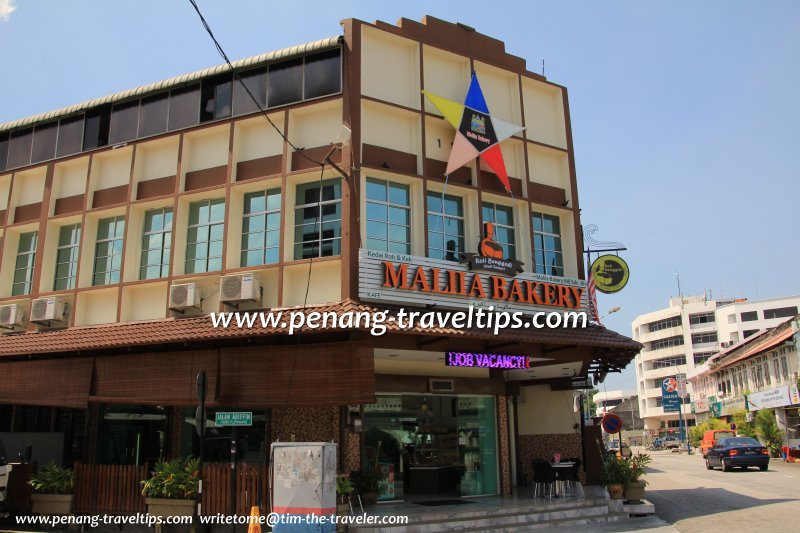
<point>127,220</point>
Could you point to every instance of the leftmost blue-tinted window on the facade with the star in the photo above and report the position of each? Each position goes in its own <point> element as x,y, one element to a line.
<point>388,216</point>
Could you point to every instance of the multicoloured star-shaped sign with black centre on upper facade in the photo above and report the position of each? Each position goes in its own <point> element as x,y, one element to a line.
<point>478,133</point>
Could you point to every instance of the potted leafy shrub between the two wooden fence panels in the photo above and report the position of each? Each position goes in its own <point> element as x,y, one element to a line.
<point>172,488</point>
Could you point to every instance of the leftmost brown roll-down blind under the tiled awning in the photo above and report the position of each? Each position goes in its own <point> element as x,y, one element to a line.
<point>54,383</point>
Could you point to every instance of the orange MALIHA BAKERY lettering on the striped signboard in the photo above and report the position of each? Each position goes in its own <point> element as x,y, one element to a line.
<point>473,285</point>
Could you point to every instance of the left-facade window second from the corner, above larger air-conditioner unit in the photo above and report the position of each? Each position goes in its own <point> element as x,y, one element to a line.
<point>261,228</point>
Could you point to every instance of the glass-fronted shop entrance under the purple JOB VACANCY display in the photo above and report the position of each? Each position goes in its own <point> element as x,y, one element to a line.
<point>432,447</point>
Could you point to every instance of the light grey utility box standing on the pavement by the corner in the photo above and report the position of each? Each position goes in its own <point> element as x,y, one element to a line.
<point>303,482</point>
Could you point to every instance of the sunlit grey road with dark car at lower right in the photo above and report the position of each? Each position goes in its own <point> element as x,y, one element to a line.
<point>694,499</point>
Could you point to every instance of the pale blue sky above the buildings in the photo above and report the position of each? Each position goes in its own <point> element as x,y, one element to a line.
<point>684,113</point>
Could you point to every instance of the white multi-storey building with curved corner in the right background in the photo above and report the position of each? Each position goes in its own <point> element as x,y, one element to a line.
<point>684,335</point>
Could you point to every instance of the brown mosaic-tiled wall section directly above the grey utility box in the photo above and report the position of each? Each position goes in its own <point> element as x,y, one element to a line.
<point>307,424</point>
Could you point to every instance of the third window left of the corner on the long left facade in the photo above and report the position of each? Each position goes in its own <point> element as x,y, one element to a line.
<point>205,236</point>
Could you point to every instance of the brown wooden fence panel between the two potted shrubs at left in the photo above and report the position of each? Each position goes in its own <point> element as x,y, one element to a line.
<point>112,489</point>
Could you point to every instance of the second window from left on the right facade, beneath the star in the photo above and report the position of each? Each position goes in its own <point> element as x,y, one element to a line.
<point>445,226</point>
